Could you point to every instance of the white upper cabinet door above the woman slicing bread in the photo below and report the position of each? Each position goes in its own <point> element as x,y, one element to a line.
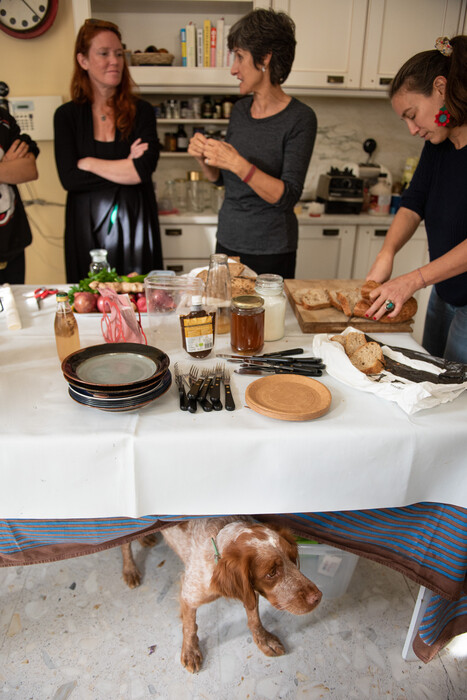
<point>397,29</point>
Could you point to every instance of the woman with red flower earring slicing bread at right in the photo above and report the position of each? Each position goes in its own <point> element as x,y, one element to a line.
<point>430,94</point>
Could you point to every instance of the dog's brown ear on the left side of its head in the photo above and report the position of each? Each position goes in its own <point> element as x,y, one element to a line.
<point>231,578</point>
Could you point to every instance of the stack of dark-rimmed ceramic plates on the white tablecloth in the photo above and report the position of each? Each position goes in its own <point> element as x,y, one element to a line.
<point>117,376</point>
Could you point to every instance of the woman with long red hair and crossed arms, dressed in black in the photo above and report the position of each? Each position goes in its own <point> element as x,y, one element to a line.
<point>106,149</point>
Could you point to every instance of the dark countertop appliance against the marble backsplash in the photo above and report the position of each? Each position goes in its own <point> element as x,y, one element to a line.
<point>341,191</point>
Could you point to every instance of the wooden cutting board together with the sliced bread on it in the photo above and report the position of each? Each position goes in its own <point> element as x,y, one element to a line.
<point>330,306</point>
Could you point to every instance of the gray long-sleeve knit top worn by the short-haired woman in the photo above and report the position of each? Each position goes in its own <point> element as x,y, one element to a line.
<point>281,146</point>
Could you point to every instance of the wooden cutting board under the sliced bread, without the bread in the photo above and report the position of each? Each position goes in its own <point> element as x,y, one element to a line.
<point>331,320</point>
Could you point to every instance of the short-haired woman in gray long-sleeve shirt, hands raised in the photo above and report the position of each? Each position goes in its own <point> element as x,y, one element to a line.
<point>264,159</point>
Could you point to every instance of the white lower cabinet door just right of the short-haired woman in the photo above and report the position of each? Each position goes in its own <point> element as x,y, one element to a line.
<point>325,252</point>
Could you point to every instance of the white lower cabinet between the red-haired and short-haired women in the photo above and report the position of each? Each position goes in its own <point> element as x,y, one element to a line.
<point>186,245</point>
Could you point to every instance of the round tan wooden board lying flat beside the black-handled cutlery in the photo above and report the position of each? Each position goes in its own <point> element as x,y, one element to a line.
<point>288,397</point>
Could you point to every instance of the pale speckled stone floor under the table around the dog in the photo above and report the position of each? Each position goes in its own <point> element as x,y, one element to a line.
<point>73,630</point>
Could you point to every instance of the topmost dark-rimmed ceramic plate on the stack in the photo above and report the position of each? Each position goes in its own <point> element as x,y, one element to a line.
<point>117,365</point>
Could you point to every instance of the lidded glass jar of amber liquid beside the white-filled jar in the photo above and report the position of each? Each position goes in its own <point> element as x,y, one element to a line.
<point>247,324</point>
